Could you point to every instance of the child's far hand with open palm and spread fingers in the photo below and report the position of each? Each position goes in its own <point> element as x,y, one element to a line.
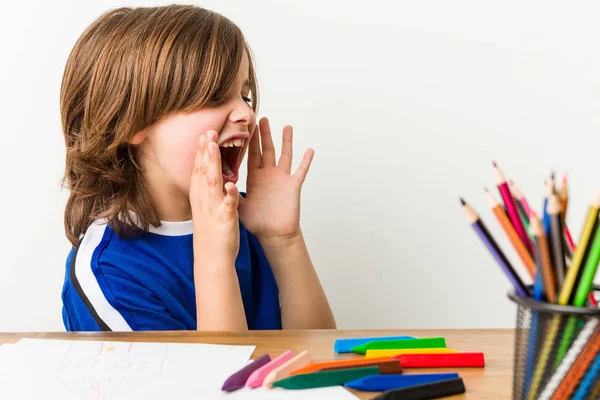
<point>271,209</point>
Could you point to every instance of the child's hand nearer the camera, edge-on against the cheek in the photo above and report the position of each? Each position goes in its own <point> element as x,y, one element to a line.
<point>214,214</point>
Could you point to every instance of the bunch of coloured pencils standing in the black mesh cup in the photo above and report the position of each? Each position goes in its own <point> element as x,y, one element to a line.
<point>563,351</point>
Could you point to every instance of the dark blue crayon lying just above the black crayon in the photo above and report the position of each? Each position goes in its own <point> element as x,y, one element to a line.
<point>396,381</point>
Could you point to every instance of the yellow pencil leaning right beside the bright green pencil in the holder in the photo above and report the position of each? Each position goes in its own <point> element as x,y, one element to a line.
<point>569,286</point>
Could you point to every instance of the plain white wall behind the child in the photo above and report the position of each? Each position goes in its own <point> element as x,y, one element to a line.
<point>406,103</point>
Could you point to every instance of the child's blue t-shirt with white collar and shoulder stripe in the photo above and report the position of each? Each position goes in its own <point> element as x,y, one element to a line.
<point>147,282</point>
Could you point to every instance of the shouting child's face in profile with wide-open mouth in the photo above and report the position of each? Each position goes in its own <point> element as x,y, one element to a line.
<point>169,146</point>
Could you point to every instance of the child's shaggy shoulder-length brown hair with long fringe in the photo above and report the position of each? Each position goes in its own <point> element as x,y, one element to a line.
<point>130,68</point>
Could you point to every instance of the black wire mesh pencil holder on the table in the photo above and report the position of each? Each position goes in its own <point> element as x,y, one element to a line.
<point>557,351</point>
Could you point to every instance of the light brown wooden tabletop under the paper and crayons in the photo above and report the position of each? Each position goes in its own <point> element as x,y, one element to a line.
<point>492,382</point>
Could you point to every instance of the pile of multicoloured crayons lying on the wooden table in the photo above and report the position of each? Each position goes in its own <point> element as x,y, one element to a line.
<point>380,369</point>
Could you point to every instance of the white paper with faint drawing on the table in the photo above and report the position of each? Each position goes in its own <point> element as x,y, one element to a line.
<point>100,370</point>
